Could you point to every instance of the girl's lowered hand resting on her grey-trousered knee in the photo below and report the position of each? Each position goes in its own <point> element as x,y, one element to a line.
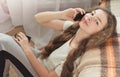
<point>22,40</point>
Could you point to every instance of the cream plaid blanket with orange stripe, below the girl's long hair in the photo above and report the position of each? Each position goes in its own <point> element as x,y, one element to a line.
<point>100,62</point>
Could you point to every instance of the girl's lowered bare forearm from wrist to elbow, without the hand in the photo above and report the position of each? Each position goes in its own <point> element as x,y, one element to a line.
<point>39,68</point>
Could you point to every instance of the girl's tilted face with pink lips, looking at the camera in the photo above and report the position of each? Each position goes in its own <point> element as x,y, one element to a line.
<point>93,22</point>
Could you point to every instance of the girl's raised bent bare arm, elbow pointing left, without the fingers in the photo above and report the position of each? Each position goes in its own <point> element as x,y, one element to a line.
<point>55,19</point>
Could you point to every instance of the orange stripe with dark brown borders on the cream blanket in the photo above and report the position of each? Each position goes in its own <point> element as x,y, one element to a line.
<point>110,58</point>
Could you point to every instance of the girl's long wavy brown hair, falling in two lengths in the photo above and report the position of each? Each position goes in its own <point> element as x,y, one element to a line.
<point>94,40</point>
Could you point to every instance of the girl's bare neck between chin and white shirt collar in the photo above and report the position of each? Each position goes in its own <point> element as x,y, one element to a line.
<point>80,35</point>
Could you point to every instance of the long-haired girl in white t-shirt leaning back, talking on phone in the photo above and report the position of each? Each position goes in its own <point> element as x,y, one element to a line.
<point>58,58</point>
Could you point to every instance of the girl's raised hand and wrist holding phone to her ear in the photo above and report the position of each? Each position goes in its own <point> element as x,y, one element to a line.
<point>70,13</point>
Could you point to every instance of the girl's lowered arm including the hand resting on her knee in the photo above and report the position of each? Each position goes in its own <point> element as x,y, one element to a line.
<point>22,40</point>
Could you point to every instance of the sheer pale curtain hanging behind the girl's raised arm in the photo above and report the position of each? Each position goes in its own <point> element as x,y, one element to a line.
<point>22,13</point>
